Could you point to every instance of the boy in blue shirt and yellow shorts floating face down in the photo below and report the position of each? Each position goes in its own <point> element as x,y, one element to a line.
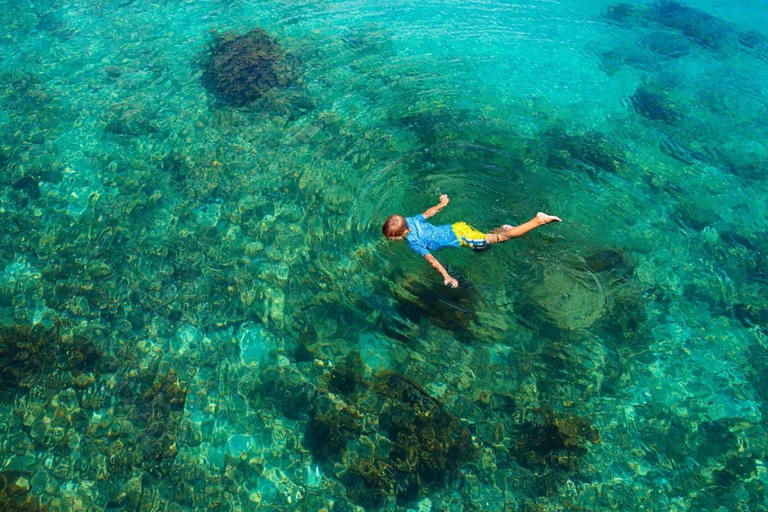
<point>423,237</point>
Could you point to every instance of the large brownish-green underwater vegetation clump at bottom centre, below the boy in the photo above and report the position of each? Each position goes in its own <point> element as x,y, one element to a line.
<point>395,444</point>
